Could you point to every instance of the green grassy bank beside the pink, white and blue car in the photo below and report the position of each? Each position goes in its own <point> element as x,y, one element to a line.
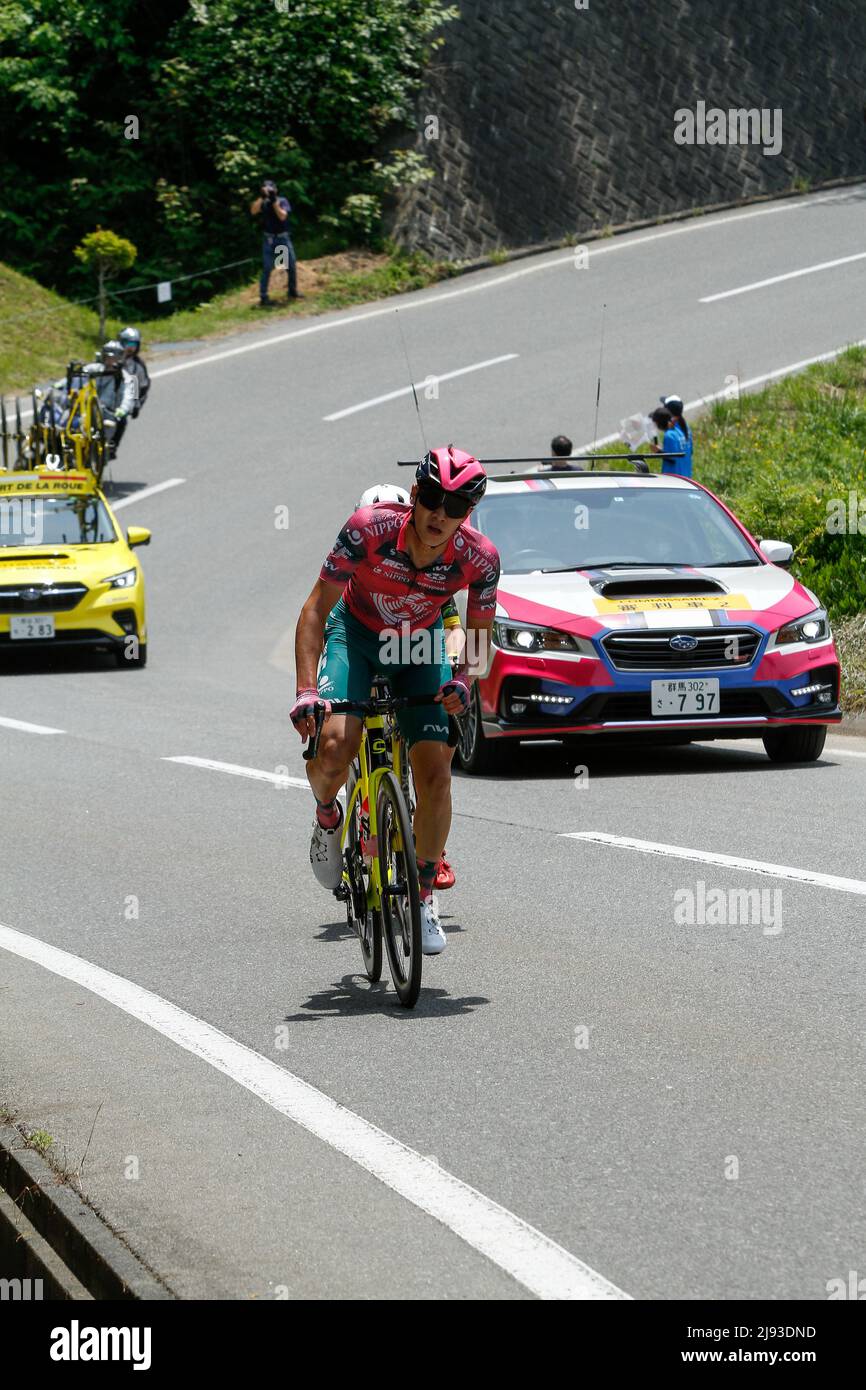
<point>785,459</point>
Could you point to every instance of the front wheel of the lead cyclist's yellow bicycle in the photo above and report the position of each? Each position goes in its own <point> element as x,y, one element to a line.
<point>401,906</point>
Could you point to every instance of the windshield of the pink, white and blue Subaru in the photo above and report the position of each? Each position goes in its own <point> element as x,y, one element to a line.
<point>587,528</point>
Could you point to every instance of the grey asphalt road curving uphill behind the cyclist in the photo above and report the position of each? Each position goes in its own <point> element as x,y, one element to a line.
<point>676,1111</point>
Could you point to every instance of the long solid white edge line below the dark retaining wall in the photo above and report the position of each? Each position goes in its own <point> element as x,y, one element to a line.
<point>440,297</point>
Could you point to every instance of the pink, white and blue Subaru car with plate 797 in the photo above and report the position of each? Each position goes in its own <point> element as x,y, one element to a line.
<point>639,607</point>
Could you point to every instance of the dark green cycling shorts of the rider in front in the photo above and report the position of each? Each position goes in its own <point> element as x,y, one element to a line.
<point>354,655</point>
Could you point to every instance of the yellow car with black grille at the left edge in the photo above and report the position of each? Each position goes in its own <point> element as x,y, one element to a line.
<point>67,572</point>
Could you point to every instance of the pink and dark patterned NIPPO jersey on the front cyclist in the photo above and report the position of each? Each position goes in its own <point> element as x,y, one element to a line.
<point>383,586</point>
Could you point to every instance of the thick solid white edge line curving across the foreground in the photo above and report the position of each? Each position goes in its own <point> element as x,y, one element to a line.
<point>521,1250</point>
